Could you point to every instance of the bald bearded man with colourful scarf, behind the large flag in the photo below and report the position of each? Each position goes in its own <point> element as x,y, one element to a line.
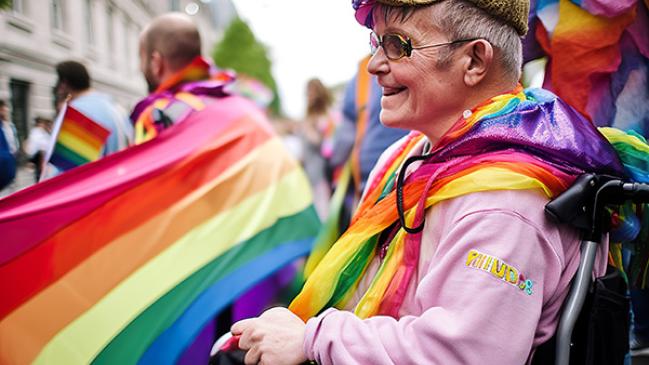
<point>171,61</point>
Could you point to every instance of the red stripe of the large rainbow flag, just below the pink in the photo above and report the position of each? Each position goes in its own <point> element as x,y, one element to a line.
<point>32,272</point>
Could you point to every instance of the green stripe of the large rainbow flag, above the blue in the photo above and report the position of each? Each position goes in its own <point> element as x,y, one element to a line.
<point>129,345</point>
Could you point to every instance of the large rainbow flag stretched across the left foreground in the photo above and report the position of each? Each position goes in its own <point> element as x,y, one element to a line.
<point>125,260</point>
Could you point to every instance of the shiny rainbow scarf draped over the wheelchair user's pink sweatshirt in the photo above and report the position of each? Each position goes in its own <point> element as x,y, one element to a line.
<point>519,140</point>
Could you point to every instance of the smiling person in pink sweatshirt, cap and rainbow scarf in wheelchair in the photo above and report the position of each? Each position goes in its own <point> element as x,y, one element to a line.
<point>449,258</point>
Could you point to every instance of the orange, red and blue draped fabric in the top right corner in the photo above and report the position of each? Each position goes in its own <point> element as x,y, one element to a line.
<point>598,57</point>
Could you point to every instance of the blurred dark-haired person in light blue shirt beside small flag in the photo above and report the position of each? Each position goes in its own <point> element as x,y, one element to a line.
<point>74,82</point>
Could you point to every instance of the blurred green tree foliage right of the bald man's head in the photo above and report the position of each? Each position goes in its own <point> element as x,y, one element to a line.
<point>240,51</point>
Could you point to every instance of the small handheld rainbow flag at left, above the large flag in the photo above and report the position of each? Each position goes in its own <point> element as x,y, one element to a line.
<point>79,140</point>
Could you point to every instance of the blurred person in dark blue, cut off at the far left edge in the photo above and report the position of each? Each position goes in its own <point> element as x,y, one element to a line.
<point>8,150</point>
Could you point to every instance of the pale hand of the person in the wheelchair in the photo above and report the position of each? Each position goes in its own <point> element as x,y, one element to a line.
<point>275,337</point>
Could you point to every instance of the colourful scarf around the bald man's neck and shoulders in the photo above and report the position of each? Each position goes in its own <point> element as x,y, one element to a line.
<point>199,78</point>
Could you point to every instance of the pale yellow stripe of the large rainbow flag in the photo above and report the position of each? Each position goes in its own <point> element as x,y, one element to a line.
<point>92,331</point>
